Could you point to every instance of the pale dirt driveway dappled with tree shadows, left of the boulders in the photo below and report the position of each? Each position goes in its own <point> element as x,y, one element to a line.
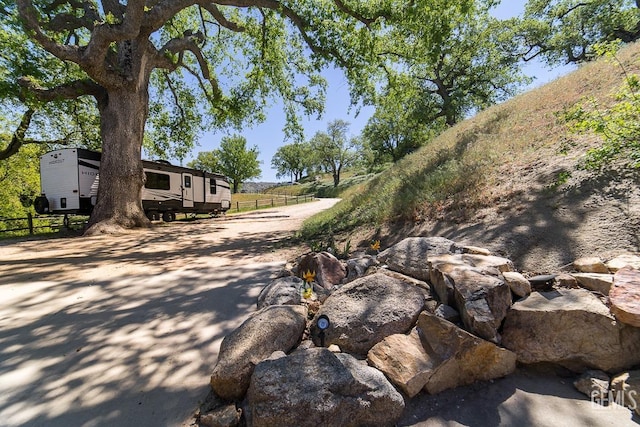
<point>125,330</point>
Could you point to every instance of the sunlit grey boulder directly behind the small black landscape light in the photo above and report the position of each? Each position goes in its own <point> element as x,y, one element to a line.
<point>365,311</point>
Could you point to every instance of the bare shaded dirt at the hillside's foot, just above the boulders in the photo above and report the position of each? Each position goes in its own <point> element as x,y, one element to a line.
<point>541,228</point>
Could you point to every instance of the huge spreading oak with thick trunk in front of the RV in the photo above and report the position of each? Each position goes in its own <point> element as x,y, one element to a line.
<point>132,59</point>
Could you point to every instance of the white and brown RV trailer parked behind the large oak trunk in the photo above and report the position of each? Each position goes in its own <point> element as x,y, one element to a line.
<point>69,181</point>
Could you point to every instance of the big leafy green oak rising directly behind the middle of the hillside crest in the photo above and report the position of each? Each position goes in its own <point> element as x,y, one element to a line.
<point>443,81</point>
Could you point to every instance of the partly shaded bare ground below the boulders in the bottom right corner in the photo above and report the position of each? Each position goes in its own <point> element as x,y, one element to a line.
<point>528,397</point>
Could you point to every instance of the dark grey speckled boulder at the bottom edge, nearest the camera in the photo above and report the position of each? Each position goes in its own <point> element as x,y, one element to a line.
<point>317,387</point>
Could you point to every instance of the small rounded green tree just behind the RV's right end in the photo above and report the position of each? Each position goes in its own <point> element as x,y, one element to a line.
<point>236,161</point>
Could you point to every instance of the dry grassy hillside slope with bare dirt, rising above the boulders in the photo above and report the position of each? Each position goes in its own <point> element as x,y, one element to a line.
<point>505,180</point>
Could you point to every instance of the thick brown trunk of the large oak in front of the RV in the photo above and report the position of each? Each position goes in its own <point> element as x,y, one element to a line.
<point>122,117</point>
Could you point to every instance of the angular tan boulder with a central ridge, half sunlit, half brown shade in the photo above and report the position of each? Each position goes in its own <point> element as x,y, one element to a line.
<point>437,356</point>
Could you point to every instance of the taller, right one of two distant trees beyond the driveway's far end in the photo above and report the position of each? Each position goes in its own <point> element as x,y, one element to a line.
<point>332,149</point>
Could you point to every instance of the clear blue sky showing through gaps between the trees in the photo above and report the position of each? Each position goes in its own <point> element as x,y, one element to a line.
<point>268,136</point>
